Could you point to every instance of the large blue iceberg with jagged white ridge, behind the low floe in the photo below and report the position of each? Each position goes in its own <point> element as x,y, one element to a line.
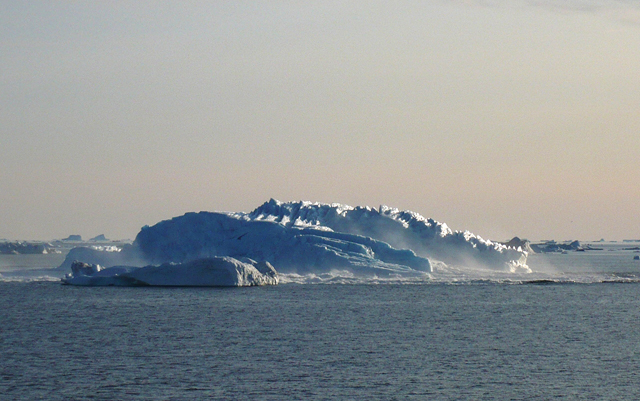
<point>305,238</point>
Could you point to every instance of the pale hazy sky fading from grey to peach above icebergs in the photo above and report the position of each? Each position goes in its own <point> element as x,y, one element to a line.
<point>504,118</point>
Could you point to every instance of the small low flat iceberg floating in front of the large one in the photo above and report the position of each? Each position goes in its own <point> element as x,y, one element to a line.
<point>209,272</point>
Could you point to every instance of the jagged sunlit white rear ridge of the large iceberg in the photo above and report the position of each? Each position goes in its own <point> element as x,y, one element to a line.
<point>400,229</point>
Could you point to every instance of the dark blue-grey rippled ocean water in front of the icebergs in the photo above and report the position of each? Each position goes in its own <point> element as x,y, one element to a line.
<point>310,342</point>
